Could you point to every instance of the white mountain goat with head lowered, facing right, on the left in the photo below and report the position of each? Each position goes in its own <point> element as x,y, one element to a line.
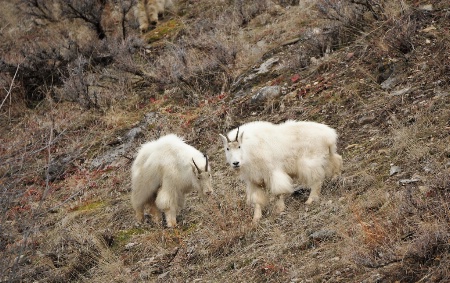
<point>163,172</point>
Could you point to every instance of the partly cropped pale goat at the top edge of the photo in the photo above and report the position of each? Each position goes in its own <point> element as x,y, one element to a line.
<point>147,12</point>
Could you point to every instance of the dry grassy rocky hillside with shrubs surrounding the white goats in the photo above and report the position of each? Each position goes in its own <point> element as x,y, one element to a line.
<point>82,89</point>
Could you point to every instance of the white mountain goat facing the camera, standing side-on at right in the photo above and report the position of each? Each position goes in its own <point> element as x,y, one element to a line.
<point>270,156</point>
